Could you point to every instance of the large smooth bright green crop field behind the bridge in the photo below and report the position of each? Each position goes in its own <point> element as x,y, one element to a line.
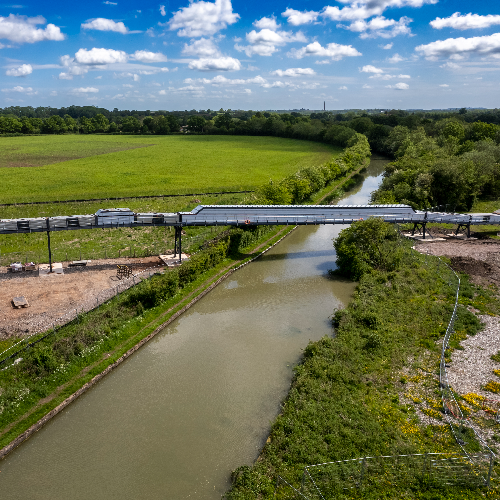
<point>47,168</point>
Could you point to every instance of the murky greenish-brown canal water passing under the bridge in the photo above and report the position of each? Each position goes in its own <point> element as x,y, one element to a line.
<point>197,401</point>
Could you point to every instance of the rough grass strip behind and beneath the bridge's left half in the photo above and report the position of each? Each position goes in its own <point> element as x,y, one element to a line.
<point>94,244</point>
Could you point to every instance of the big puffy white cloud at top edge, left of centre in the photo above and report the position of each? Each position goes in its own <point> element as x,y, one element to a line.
<point>203,18</point>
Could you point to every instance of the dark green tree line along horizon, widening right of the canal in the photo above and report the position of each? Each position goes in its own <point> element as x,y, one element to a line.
<point>440,157</point>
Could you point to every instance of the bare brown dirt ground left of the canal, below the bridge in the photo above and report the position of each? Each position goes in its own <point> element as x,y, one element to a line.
<point>52,296</point>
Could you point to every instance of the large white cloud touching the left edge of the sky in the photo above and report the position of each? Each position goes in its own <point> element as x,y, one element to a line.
<point>22,29</point>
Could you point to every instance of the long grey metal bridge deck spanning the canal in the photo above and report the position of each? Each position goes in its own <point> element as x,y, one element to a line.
<point>248,215</point>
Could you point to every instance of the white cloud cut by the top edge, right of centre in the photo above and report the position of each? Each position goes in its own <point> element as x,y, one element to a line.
<point>365,9</point>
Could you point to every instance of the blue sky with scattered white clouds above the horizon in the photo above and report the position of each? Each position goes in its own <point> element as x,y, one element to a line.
<point>181,54</point>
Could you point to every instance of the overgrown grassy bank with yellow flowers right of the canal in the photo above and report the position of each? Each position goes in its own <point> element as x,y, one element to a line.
<point>352,395</point>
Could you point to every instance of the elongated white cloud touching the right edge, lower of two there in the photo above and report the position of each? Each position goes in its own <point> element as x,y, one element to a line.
<point>460,48</point>
